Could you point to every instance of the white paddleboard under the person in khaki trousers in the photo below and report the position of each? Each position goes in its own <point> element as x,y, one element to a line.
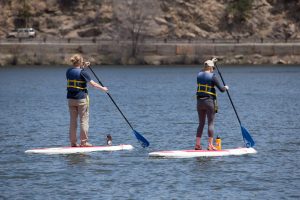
<point>72,150</point>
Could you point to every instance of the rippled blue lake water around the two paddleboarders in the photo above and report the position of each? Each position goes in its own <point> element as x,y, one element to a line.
<point>160,103</point>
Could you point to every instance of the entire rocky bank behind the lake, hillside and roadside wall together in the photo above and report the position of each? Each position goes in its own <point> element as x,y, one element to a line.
<point>263,21</point>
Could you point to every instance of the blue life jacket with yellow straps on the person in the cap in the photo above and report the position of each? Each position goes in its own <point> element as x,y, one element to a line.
<point>205,85</point>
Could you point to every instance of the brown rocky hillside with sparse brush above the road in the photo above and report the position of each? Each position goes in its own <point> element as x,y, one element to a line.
<point>176,19</point>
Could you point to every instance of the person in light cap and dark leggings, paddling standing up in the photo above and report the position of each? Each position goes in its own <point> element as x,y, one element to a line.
<point>206,102</point>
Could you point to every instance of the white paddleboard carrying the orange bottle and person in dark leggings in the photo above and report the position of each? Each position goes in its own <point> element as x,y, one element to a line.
<point>202,153</point>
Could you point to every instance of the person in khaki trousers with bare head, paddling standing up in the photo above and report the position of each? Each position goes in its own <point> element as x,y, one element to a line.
<point>78,99</point>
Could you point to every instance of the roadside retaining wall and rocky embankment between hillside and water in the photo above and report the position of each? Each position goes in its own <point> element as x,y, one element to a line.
<point>148,53</point>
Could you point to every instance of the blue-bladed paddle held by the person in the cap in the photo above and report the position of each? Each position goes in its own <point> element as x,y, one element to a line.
<point>249,142</point>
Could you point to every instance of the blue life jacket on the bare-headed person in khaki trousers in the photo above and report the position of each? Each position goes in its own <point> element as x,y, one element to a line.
<point>76,84</point>
